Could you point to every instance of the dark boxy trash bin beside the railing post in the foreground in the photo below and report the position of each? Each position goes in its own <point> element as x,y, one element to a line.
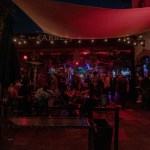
<point>102,134</point>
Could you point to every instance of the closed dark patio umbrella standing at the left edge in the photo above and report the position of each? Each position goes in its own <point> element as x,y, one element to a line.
<point>9,64</point>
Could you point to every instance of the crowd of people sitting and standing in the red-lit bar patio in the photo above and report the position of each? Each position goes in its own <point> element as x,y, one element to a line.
<point>91,91</point>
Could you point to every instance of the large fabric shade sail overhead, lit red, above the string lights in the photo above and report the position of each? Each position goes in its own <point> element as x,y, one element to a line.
<point>85,22</point>
